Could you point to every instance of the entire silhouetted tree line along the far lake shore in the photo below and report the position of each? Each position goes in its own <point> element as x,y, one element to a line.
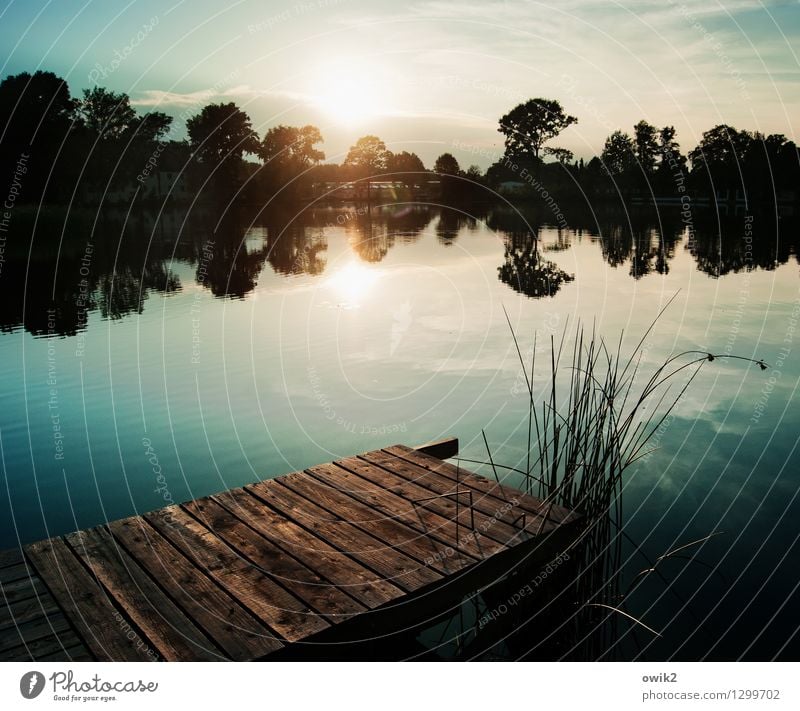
<point>96,145</point>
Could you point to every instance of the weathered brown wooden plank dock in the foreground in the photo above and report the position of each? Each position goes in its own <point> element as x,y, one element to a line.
<point>294,567</point>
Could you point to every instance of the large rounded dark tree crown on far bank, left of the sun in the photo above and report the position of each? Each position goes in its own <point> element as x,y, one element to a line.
<point>221,134</point>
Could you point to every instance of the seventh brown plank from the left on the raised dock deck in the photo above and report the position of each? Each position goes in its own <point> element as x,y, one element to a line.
<point>389,562</point>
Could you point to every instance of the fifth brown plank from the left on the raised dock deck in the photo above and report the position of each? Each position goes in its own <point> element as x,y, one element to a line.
<point>322,596</point>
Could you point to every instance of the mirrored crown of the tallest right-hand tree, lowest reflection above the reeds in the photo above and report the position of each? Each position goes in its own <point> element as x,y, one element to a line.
<point>526,272</point>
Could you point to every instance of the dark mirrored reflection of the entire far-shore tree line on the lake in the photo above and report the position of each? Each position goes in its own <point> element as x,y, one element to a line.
<point>61,266</point>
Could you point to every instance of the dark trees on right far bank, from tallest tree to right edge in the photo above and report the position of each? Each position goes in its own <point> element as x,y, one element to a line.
<point>727,163</point>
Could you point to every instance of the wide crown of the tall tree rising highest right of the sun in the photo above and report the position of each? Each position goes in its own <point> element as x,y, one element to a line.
<point>528,126</point>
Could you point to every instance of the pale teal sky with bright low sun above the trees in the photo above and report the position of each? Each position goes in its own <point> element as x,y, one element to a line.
<point>427,77</point>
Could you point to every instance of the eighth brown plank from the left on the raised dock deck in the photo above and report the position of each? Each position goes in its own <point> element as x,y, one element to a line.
<point>428,551</point>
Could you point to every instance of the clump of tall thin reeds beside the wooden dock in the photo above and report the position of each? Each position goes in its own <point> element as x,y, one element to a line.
<point>582,436</point>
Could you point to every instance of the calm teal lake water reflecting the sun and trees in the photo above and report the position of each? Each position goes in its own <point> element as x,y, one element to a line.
<point>153,358</point>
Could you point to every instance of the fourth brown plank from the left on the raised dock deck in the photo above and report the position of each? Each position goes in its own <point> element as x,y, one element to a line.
<point>286,615</point>
